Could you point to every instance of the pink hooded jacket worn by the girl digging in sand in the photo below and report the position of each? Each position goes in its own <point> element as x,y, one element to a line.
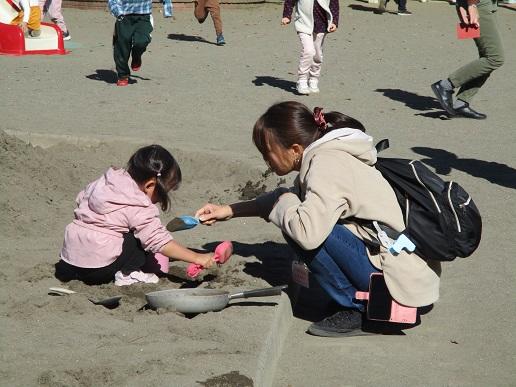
<point>109,207</point>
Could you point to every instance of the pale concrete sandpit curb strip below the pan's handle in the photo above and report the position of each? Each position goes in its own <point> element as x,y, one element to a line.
<point>273,345</point>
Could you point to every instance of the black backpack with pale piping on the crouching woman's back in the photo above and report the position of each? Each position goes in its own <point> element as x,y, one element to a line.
<point>440,217</point>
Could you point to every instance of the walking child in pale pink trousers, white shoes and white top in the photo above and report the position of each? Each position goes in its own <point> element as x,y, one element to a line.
<point>312,20</point>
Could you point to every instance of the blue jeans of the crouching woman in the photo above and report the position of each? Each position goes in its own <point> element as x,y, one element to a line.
<point>340,265</point>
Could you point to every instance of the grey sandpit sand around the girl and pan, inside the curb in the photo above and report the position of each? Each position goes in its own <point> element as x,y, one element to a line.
<point>92,345</point>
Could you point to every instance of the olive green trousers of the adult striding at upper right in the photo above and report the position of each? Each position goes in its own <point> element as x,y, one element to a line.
<point>491,56</point>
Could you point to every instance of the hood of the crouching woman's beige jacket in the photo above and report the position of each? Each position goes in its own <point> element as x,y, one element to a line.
<point>353,141</point>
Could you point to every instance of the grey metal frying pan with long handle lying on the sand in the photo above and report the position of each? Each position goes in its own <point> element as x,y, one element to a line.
<point>203,300</point>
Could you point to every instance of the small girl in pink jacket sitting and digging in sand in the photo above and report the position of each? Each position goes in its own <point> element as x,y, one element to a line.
<point>117,231</point>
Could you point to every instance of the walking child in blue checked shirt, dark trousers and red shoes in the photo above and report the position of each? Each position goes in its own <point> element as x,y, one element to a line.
<point>132,33</point>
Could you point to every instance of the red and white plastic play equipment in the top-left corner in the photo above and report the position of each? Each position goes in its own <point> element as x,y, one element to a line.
<point>13,41</point>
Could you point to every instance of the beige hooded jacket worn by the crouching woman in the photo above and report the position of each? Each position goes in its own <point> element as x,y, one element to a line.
<point>337,181</point>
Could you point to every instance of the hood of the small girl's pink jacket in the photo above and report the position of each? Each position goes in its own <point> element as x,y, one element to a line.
<point>115,189</point>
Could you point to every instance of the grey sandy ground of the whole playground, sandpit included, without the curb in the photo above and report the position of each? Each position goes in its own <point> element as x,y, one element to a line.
<point>201,101</point>
